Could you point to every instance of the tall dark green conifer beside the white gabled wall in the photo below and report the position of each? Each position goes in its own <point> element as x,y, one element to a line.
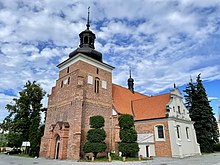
<point>202,114</point>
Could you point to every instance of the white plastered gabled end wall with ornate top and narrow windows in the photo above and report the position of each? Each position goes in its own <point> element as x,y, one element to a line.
<point>179,117</point>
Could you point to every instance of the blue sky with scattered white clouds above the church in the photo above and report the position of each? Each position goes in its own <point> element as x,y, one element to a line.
<point>163,42</point>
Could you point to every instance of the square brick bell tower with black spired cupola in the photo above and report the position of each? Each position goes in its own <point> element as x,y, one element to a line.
<point>83,89</point>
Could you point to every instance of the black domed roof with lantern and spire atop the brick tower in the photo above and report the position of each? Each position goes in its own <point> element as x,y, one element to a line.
<point>87,40</point>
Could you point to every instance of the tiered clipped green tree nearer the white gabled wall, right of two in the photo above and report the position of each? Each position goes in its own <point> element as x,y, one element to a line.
<point>128,145</point>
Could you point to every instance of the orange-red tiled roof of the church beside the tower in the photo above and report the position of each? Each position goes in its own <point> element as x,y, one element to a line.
<point>141,106</point>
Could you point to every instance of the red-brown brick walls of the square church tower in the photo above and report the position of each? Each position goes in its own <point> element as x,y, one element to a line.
<point>74,101</point>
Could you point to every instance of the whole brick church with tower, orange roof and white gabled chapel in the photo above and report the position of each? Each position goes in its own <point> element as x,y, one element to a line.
<point>84,88</point>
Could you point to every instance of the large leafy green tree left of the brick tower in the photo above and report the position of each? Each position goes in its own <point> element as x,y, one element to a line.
<point>23,121</point>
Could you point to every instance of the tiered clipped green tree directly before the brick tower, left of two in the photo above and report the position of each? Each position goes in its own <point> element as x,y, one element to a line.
<point>95,136</point>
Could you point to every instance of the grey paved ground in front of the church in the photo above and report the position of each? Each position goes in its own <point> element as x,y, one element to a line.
<point>208,159</point>
